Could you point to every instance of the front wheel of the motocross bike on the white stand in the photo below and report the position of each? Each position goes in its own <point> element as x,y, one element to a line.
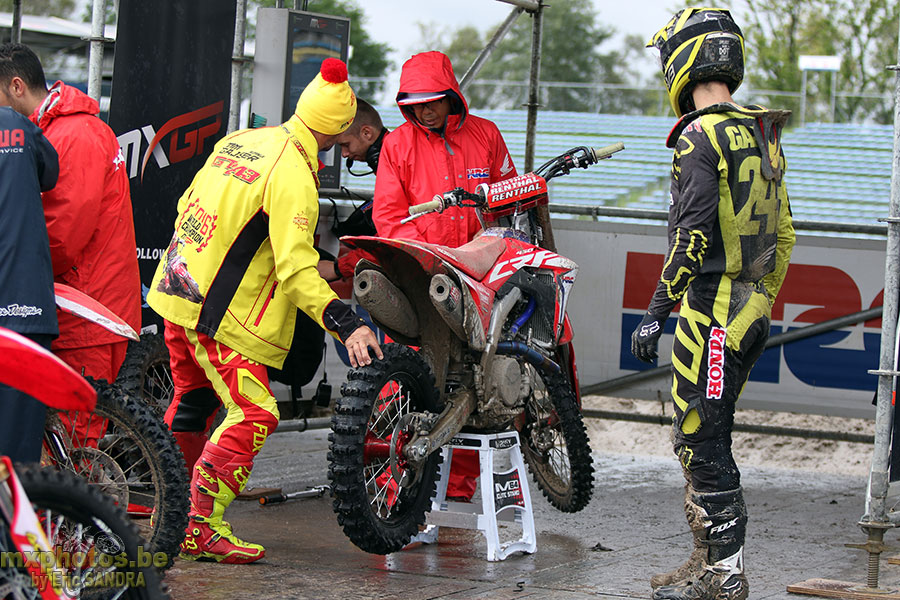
<point>555,443</point>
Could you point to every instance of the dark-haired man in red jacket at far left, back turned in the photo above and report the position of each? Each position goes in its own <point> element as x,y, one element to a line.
<point>89,218</point>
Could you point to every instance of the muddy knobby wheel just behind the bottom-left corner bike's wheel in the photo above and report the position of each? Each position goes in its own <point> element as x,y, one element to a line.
<point>129,454</point>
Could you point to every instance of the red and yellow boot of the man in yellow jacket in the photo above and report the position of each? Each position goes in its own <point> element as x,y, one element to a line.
<point>218,477</point>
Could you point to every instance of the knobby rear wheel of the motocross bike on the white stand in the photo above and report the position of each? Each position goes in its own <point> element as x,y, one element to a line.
<point>380,499</point>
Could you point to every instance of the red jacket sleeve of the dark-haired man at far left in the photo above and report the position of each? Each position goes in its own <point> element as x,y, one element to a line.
<point>72,208</point>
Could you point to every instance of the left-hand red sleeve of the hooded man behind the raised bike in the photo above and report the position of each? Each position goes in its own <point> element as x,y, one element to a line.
<point>391,203</point>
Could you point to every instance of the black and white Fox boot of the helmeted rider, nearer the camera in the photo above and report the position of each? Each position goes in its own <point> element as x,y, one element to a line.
<point>721,576</point>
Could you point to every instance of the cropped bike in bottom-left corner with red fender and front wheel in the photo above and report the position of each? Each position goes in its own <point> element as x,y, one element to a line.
<point>60,538</point>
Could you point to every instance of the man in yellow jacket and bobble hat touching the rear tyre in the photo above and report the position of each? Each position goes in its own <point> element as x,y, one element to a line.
<point>240,263</point>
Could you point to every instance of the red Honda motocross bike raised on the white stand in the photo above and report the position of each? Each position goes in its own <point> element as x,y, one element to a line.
<point>494,352</point>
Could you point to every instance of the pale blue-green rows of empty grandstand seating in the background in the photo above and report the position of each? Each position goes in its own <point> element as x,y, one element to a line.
<point>836,172</point>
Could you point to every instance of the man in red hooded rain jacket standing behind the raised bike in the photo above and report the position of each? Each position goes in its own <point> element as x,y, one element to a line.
<point>441,146</point>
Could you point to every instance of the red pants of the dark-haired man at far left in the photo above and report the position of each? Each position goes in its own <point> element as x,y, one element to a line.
<point>100,362</point>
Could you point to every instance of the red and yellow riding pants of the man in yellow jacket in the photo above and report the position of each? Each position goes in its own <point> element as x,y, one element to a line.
<point>242,385</point>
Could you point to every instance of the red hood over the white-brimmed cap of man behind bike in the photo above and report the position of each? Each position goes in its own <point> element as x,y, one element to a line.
<point>432,72</point>
